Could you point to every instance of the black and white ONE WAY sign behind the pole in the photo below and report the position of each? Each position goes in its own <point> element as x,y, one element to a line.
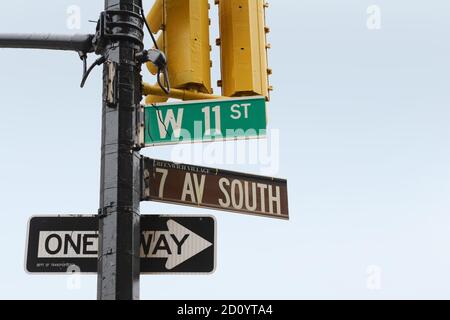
<point>169,244</point>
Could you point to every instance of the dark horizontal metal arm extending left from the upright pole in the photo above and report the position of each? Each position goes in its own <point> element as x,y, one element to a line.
<point>78,43</point>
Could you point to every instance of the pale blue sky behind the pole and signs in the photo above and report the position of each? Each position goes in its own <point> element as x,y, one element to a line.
<point>365,145</point>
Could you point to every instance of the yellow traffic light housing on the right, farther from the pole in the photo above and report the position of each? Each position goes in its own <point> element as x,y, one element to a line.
<point>244,47</point>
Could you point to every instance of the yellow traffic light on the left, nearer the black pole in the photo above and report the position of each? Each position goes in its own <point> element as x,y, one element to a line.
<point>184,38</point>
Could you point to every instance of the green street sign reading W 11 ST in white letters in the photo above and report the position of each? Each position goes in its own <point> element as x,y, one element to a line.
<point>204,121</point>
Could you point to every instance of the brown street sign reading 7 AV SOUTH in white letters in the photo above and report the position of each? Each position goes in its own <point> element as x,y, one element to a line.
<point>215,189</point>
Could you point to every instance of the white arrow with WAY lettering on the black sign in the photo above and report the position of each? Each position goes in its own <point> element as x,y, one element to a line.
<point>178,245</point>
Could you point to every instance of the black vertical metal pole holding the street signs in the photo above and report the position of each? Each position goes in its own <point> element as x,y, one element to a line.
<point>119,223</point>
